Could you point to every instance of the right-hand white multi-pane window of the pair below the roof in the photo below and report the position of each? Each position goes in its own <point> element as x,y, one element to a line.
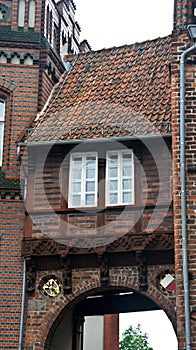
<point>119,178</point>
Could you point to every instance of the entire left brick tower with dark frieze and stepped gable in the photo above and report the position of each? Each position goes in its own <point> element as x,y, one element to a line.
<point>34,36</point>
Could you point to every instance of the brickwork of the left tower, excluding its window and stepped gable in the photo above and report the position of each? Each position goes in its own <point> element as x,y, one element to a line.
<point>25,88</point>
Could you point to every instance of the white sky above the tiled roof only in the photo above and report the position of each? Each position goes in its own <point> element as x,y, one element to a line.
<point>108,23</point>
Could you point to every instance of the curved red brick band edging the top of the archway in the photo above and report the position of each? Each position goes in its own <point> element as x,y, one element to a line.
<point>55,314</point>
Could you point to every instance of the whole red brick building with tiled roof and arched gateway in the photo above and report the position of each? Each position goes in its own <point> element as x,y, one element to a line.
<point>88,254</point>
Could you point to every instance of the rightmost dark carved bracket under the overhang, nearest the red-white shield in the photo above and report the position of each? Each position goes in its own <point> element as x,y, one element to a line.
<point>142,271</point>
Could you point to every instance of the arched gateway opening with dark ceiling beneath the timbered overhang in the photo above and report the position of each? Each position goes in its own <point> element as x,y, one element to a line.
<point>93,322</point>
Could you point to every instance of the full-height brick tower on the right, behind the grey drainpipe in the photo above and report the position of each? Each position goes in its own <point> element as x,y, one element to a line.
<point>184,14</point>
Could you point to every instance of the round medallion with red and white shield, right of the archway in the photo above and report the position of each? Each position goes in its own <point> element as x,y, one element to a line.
<point>166,282</point>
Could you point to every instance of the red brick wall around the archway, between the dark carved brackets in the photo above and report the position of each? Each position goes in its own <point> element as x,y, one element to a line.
<point>44,313</point>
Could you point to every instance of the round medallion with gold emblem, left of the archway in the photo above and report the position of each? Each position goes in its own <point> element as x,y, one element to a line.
<point>50,286</point>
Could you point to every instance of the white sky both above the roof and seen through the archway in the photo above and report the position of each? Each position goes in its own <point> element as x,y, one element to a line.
<point>108,23</point>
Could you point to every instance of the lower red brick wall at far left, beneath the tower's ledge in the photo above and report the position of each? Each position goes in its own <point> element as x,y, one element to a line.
<point>11,266</point>
